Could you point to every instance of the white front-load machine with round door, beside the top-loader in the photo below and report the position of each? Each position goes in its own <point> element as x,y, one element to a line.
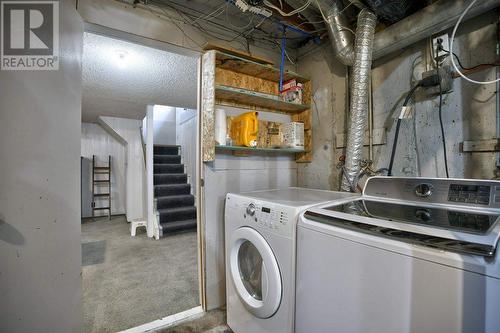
<point>260,232</point>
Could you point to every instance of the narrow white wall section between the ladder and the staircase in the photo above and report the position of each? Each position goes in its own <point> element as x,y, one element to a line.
<point>128,131</point>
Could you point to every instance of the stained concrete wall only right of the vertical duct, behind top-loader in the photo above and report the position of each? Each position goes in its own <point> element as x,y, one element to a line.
<point>468,111</point>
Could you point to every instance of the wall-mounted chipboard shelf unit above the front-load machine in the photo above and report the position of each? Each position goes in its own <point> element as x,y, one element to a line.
<point>231,80</point>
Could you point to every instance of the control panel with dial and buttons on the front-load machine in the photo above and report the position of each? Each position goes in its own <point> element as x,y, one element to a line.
<point>272,217</point>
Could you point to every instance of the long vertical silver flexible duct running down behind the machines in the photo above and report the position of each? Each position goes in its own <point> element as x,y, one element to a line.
<point>359,98</point>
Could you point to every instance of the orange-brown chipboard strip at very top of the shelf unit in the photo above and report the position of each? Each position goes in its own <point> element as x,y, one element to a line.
<point>249,67</point>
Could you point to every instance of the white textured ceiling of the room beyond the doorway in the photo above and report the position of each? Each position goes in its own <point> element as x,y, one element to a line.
<point>120,78</point>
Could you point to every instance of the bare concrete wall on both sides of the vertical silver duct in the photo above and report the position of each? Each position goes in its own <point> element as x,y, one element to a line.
<point>468,111</point>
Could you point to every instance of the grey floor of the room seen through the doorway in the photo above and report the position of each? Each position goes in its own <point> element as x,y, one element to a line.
<point>131,281</point>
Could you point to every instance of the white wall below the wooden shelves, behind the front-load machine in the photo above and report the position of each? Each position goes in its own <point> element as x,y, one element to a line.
<point>229,173</point>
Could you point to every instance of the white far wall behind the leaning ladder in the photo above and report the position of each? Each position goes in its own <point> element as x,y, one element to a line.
<point>96,141</point>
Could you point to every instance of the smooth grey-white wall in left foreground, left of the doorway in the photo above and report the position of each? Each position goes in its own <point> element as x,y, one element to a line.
<point>40,251</point>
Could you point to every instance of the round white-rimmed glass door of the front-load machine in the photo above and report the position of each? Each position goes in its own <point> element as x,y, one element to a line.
<point>255,272</point>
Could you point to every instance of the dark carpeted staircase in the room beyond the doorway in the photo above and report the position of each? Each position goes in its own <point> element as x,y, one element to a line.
<point>174,202</point>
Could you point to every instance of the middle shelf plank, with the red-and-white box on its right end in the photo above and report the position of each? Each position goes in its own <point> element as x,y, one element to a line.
<point>248,97</point>
